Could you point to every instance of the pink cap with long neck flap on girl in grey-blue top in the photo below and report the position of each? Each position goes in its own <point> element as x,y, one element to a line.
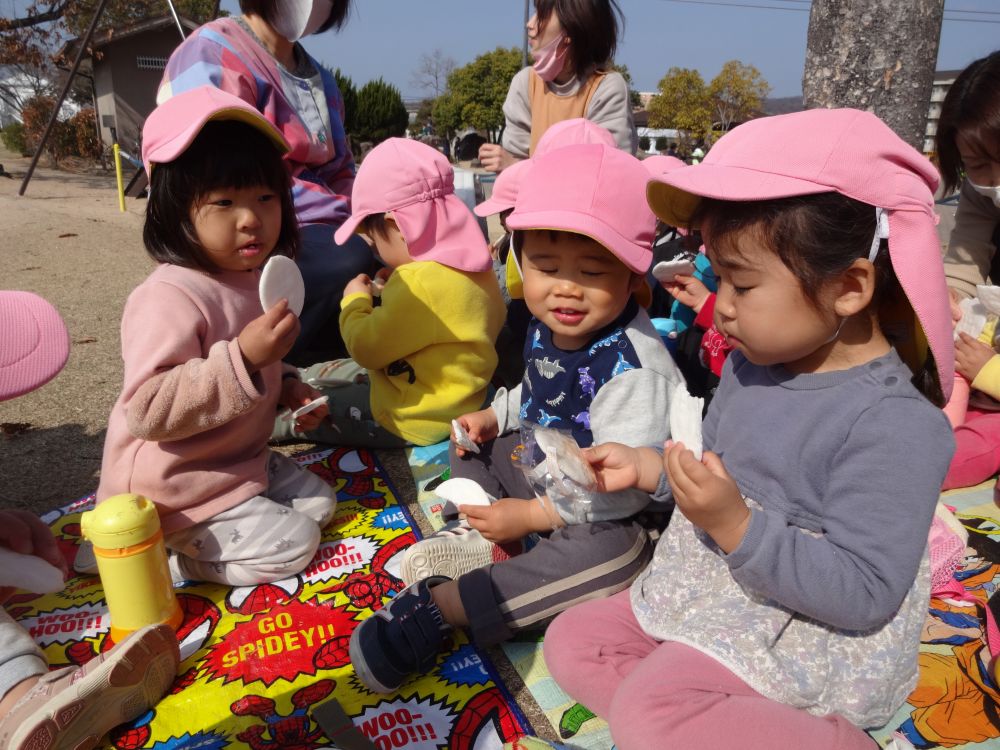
<point>832,150</point>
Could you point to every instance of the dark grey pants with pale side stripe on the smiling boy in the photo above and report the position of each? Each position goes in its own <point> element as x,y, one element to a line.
<point>571,565</point>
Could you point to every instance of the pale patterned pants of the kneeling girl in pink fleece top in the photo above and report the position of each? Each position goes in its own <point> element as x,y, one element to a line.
<point>262,539</point>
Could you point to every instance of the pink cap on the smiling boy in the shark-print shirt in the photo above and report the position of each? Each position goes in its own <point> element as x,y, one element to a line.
<point>594,190</point>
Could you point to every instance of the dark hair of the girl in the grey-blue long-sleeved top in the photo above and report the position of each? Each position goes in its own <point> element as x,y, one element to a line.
<point>817,237</point>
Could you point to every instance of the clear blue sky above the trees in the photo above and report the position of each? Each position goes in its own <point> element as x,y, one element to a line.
<point>388,37</point>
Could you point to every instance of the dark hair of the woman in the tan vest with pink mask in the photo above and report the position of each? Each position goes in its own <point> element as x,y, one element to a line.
<point>592,27</point>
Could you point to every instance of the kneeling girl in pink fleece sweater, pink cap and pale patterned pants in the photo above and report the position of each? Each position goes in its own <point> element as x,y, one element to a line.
<point>203,369</point>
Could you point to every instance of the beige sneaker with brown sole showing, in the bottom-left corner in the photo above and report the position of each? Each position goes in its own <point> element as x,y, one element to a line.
<point>73,708</point>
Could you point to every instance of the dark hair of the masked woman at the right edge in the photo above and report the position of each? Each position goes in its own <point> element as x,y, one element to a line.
<point>971,108</point>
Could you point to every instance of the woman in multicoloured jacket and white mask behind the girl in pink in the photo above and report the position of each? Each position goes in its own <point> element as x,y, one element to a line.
<point>257,57</point>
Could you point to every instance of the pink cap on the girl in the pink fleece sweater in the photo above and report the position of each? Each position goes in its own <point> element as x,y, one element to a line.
<point>174,124</point>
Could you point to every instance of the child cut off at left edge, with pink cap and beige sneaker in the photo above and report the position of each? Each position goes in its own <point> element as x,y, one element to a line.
<point>71,707</point>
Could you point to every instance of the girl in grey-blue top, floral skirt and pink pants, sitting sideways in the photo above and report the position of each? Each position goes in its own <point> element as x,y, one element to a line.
<point>784,604</point>
